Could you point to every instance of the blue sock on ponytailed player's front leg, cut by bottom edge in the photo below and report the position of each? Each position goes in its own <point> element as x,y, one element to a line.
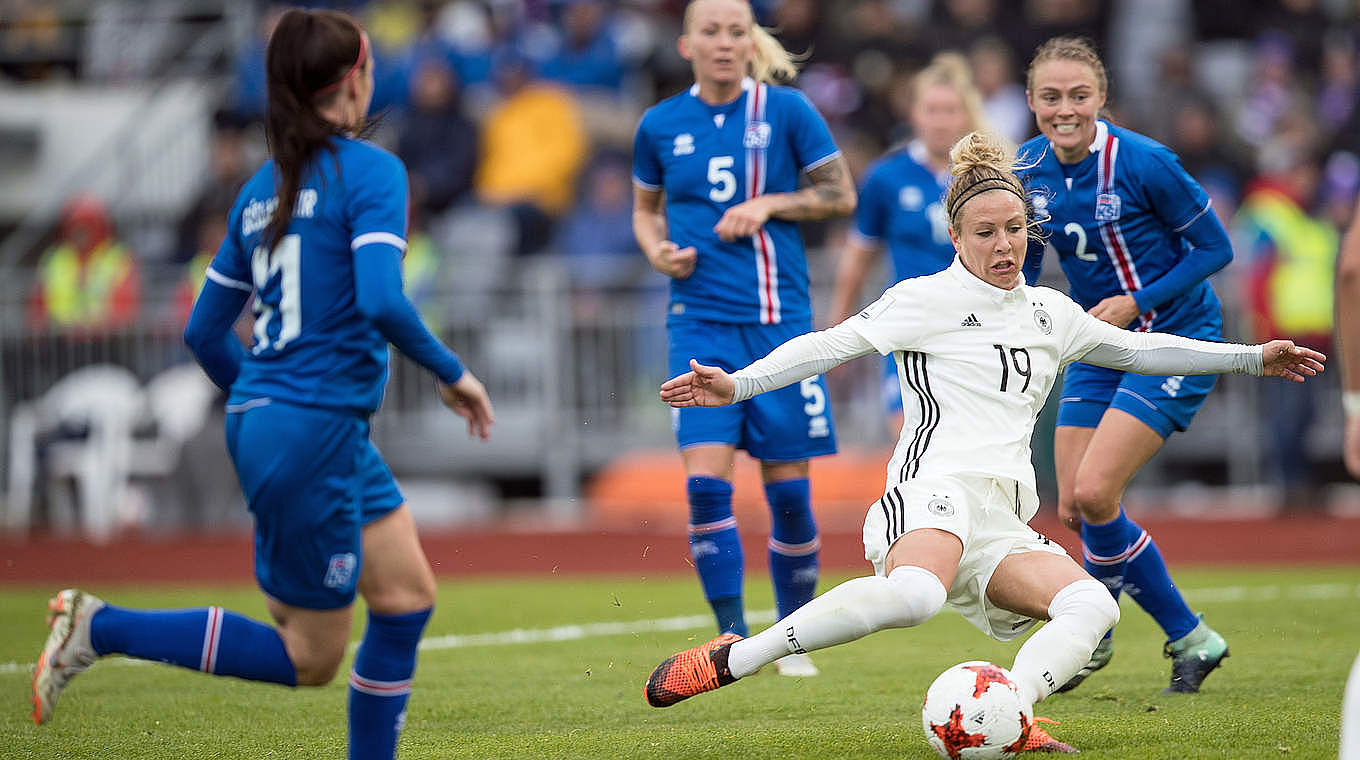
<point>380,683</point>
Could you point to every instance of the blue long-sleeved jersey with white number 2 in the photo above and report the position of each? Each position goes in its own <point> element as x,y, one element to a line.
<point>1121,222</point>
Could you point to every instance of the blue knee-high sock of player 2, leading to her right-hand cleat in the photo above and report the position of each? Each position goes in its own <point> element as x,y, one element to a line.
<point>1123,553</point>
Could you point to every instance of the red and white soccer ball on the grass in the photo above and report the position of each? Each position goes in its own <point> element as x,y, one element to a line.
<point>974,712</point>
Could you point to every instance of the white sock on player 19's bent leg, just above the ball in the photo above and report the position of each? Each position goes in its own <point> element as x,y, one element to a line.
<point>1079,615</point>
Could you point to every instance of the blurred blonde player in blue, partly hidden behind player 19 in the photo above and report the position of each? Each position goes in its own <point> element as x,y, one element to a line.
<point>901,199</point>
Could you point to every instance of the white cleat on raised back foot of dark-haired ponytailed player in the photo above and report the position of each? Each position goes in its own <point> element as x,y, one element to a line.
<point>67,652</point>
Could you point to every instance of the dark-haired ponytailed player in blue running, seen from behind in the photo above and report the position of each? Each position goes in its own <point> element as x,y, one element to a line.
<point>318,235</point>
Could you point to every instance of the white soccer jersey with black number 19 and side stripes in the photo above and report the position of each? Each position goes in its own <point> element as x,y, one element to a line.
<point>976,366</point>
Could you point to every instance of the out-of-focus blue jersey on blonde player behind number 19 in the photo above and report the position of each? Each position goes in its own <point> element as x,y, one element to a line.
<point>902,206</point>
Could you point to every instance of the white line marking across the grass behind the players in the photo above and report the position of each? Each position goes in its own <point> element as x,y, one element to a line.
<point>1312,592</point>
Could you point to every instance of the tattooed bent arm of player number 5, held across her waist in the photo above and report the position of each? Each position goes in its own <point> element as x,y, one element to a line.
<point>830,195</point>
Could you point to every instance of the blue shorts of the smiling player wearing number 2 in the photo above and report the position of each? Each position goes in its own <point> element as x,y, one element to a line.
<point>1166,404</point>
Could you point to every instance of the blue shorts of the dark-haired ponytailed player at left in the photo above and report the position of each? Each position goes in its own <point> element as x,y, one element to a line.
<point>312,479</point>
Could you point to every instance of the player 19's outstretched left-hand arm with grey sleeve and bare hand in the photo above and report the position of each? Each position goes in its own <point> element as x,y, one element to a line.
<point>796,360</point>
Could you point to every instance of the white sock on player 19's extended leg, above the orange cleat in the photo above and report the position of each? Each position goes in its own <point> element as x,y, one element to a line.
<point>909,596</point>
